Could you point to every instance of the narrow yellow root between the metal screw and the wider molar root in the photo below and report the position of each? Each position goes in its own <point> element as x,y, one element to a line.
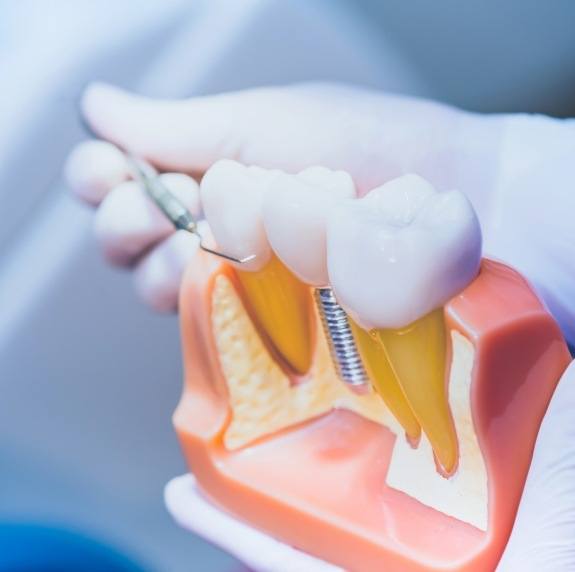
<point>384,380</point>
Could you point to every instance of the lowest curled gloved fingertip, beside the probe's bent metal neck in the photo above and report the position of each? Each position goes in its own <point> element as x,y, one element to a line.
<point>158,275</point>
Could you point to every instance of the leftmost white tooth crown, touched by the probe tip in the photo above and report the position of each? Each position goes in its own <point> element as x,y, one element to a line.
<point>232,196</point>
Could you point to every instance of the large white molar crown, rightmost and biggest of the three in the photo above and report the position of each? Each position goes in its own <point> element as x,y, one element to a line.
<point>401,251</point>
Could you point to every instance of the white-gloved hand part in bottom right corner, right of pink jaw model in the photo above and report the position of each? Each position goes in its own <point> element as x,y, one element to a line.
<point>542,538</point>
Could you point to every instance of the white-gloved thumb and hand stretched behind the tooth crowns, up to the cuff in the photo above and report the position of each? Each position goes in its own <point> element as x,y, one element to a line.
<point>374,137</point>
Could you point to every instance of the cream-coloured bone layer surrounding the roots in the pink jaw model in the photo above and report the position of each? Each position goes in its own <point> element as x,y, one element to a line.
<point>264,404</point>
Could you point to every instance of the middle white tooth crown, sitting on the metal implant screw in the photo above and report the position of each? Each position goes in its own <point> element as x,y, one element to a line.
<point>295,212</point>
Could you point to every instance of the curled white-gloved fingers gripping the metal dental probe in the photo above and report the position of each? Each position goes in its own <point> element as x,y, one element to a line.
<point>131,230</point>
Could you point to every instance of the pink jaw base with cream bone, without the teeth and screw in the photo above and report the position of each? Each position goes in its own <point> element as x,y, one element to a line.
<point>330,472</point>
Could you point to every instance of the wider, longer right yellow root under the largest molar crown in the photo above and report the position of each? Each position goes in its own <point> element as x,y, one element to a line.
<point>417,354</point>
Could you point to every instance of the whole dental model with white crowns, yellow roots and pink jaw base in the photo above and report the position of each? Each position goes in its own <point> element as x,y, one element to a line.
<point>424,469</point>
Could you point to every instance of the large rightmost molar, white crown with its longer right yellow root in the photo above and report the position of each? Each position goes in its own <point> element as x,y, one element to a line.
<point>395,258</point>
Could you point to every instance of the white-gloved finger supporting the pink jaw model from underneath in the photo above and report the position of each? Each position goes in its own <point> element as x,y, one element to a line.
<point>260,552</point>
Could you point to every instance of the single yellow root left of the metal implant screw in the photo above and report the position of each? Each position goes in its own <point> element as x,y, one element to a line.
<point>280,306</point>
